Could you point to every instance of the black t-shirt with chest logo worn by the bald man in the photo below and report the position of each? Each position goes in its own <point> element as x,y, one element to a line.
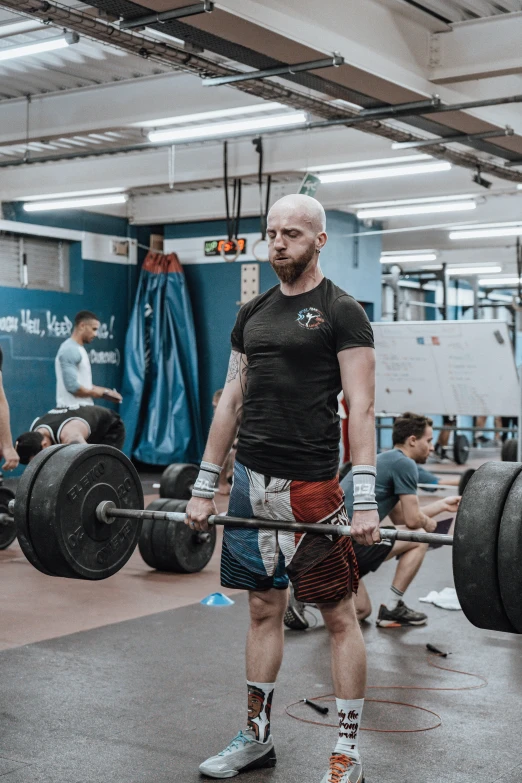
<point>290,424</point>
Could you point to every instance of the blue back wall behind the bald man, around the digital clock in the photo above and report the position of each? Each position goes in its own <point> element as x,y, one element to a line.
<point>215,288</point>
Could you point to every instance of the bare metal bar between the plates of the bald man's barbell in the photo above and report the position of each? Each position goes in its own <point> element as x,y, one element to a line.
<point>107,511</point>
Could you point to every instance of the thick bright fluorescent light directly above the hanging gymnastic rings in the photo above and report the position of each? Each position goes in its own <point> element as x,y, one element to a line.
<point>217,129</point>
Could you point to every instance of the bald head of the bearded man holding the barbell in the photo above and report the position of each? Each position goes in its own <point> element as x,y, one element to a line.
<point>296,234</point>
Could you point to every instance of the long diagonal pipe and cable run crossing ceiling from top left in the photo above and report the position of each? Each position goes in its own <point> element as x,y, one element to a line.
<point>171,54</point>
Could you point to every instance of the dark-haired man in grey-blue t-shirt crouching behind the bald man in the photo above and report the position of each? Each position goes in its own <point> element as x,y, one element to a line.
<point>396,494</point>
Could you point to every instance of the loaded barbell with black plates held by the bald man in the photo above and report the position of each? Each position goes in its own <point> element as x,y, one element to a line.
<point>79,514</point>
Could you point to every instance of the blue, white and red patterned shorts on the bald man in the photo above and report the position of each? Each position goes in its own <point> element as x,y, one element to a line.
<point>321,568</point>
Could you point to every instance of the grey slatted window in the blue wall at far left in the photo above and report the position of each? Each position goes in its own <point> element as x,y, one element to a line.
<point>34,262</point>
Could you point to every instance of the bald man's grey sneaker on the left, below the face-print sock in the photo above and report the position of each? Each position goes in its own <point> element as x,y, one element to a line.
<point>242,754</point>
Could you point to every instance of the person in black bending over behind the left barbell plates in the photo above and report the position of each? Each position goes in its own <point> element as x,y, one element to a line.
<point>79,424</point>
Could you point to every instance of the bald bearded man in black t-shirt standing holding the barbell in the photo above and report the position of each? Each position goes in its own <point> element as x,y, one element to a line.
<point>293,349</point>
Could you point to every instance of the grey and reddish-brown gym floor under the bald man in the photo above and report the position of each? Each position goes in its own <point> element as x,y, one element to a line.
<point>132,680</point>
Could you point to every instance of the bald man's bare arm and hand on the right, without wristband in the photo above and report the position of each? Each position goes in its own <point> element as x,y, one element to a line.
<point>357,367</point>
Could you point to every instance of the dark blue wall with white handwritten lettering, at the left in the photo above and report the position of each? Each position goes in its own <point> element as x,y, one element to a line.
<point>41,320</point>
